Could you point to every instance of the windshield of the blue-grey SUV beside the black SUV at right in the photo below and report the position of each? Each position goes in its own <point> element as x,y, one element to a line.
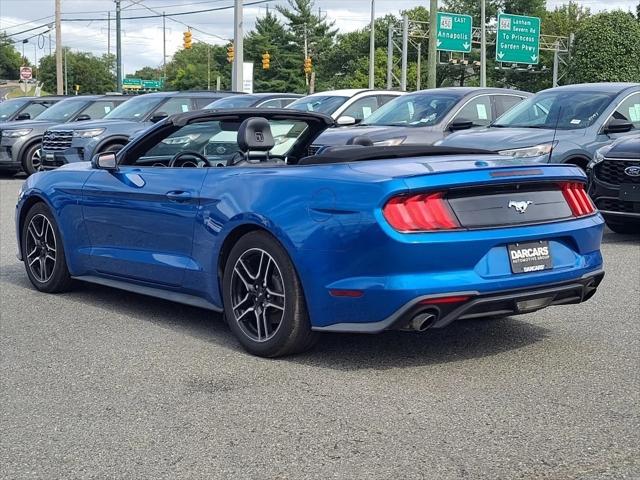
<point>560,109</point>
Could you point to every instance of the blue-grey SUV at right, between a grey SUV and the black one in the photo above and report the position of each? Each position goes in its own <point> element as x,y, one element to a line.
<point>560,125</point>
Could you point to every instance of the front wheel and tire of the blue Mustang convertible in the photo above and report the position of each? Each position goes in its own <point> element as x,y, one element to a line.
<point>57,278</point>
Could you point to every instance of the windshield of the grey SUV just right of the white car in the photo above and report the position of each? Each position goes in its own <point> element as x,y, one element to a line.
<point>418,110</point>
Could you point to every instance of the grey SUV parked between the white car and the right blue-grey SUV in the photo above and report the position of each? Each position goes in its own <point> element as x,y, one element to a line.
<point>427,116</point>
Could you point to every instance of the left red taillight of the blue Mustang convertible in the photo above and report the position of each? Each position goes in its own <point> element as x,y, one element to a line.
<point>421,212</point>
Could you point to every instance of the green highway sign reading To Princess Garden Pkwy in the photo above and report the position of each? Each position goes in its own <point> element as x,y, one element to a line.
<point>518,39</point>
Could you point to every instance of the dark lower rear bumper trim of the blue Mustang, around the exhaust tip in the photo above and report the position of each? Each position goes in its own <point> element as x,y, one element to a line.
<point>507,302</point>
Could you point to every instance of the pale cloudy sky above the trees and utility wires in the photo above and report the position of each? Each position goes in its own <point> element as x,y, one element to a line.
<point>142,38</point>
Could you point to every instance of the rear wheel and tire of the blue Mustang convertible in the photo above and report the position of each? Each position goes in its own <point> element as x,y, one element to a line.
<point>293,332</point>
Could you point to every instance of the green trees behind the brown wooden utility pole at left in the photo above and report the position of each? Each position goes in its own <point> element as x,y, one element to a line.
<point>93,74</point>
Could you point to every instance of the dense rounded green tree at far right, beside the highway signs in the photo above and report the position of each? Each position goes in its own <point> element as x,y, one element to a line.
<point>606,49</point>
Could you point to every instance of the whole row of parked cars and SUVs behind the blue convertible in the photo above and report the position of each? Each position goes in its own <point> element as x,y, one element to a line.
<point>560,125</point>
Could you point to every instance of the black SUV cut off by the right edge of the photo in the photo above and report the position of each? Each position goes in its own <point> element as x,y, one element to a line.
<point>614,183</point>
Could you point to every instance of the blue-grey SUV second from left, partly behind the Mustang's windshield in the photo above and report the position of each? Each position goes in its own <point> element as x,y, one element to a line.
<point>78,143</point>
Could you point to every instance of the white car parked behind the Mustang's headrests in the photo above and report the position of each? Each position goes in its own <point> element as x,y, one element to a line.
<point>347,107</point>
